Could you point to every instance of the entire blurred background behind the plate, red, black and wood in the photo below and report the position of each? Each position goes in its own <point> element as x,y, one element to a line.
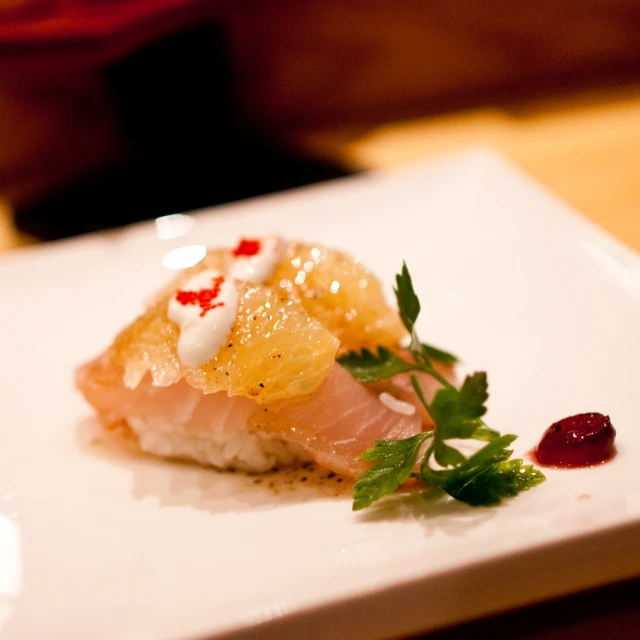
<point>113,111</point>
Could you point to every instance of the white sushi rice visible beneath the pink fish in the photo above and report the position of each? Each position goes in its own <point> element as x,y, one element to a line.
<point>245,450</point>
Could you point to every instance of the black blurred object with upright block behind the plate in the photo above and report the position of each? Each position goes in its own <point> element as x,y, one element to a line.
<point>183,148</point>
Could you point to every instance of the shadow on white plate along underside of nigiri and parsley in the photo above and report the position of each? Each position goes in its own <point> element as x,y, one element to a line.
<point>176,483</point>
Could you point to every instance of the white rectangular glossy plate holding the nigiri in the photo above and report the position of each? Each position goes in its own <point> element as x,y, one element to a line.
<point>119,547</point>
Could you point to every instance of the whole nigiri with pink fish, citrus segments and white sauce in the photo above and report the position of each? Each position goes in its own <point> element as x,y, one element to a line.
<point>234,363</point>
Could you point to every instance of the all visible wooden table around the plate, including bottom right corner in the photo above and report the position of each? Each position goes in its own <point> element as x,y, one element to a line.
<point>586,148</point>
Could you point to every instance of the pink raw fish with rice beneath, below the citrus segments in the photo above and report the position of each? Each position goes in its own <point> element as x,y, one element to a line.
<point>332,425</point>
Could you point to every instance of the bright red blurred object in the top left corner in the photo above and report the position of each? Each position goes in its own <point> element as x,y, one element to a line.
<point>53,34</point>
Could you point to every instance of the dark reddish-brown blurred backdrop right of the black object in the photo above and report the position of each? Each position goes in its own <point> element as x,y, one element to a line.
<point>311,63</point>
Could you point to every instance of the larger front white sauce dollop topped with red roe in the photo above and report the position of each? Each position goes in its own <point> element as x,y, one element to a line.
<point>205,309</point>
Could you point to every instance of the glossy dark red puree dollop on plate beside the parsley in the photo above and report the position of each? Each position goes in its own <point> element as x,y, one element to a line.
<point>582,440</point>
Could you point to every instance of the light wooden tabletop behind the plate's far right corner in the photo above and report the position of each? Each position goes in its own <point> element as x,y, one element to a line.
<point>584,146</point>
